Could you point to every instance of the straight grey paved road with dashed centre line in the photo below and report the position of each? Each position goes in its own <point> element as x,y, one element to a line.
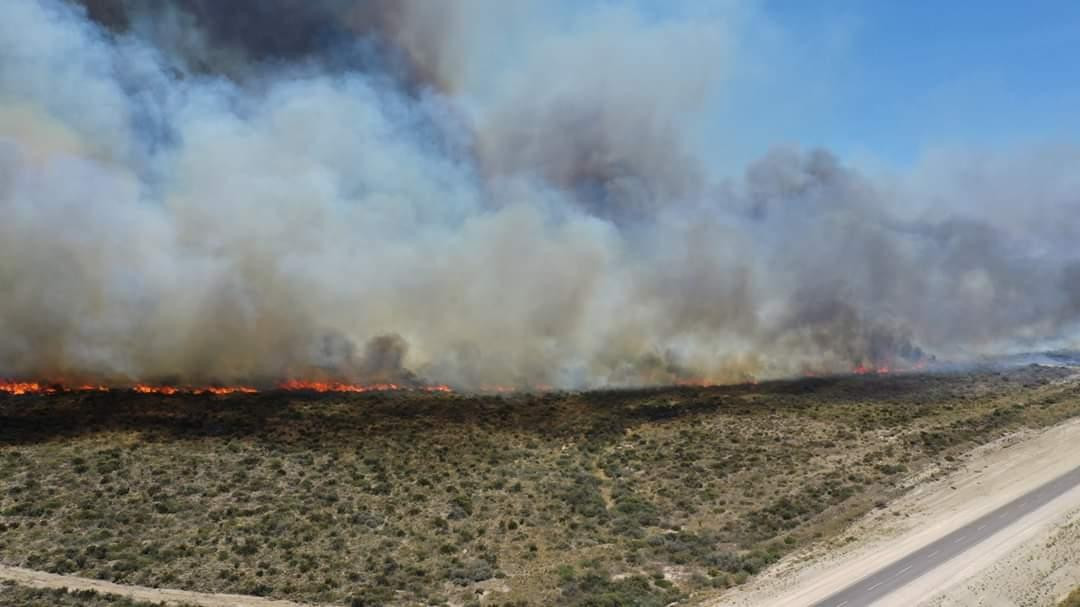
<point>925,560</point>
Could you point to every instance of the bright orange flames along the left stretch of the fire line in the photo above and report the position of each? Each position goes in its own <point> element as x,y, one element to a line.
<point>20,388</point>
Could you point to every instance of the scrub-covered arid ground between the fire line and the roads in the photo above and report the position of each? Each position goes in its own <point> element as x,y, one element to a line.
<point>601,498</point>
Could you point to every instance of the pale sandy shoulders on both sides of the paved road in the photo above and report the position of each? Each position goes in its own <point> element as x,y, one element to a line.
<point>939,503</point>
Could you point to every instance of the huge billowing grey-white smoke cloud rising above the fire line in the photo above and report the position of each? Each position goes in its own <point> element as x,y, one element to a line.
<point>472,194</point>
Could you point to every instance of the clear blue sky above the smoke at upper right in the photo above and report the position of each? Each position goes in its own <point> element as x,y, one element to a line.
<point>886,82</point>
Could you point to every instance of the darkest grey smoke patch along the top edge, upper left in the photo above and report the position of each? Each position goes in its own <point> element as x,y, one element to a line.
<point>248,39</point>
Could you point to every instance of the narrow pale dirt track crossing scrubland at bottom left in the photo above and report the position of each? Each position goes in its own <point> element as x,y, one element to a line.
<point>40,579</point>
